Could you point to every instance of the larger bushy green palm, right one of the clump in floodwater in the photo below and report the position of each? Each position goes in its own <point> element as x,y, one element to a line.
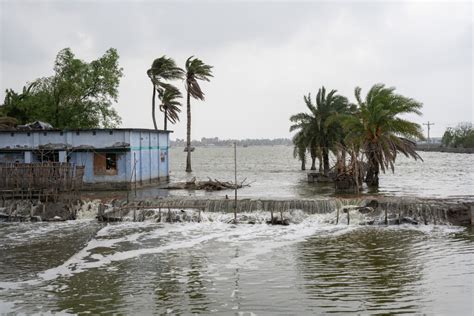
<point>379,131</point>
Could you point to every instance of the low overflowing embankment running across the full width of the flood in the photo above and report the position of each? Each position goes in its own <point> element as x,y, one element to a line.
<point>375,210</point>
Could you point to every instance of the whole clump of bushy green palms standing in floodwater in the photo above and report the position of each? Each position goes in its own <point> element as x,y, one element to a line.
<point>365,137</point>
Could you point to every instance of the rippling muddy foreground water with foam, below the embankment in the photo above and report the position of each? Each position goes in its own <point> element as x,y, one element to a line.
<point>212,267</point>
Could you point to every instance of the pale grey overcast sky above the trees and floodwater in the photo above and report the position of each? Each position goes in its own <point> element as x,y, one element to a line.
<point>266,55</point>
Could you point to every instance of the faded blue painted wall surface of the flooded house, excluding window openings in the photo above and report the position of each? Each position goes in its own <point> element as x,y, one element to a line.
<point>148,147</point>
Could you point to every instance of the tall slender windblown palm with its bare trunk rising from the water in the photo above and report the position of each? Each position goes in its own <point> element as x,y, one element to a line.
<point>195,69</point>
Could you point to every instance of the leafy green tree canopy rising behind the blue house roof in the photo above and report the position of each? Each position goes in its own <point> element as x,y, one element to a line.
<point>79,95</point>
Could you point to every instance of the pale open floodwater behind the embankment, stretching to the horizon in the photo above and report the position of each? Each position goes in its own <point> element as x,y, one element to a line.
<point>275,173</point>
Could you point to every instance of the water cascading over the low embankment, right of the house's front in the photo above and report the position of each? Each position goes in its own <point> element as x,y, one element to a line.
<point>348,211</point>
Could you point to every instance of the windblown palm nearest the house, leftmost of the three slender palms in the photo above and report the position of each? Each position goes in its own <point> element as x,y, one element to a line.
<point>162,69</point>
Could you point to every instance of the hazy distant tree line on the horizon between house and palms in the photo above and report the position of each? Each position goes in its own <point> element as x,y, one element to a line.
<point>215,141</point>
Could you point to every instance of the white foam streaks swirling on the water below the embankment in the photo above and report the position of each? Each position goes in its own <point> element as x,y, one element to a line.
<point>254,240</point>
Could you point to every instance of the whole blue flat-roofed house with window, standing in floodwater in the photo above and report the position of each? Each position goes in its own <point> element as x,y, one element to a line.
<point>113,158</point>
